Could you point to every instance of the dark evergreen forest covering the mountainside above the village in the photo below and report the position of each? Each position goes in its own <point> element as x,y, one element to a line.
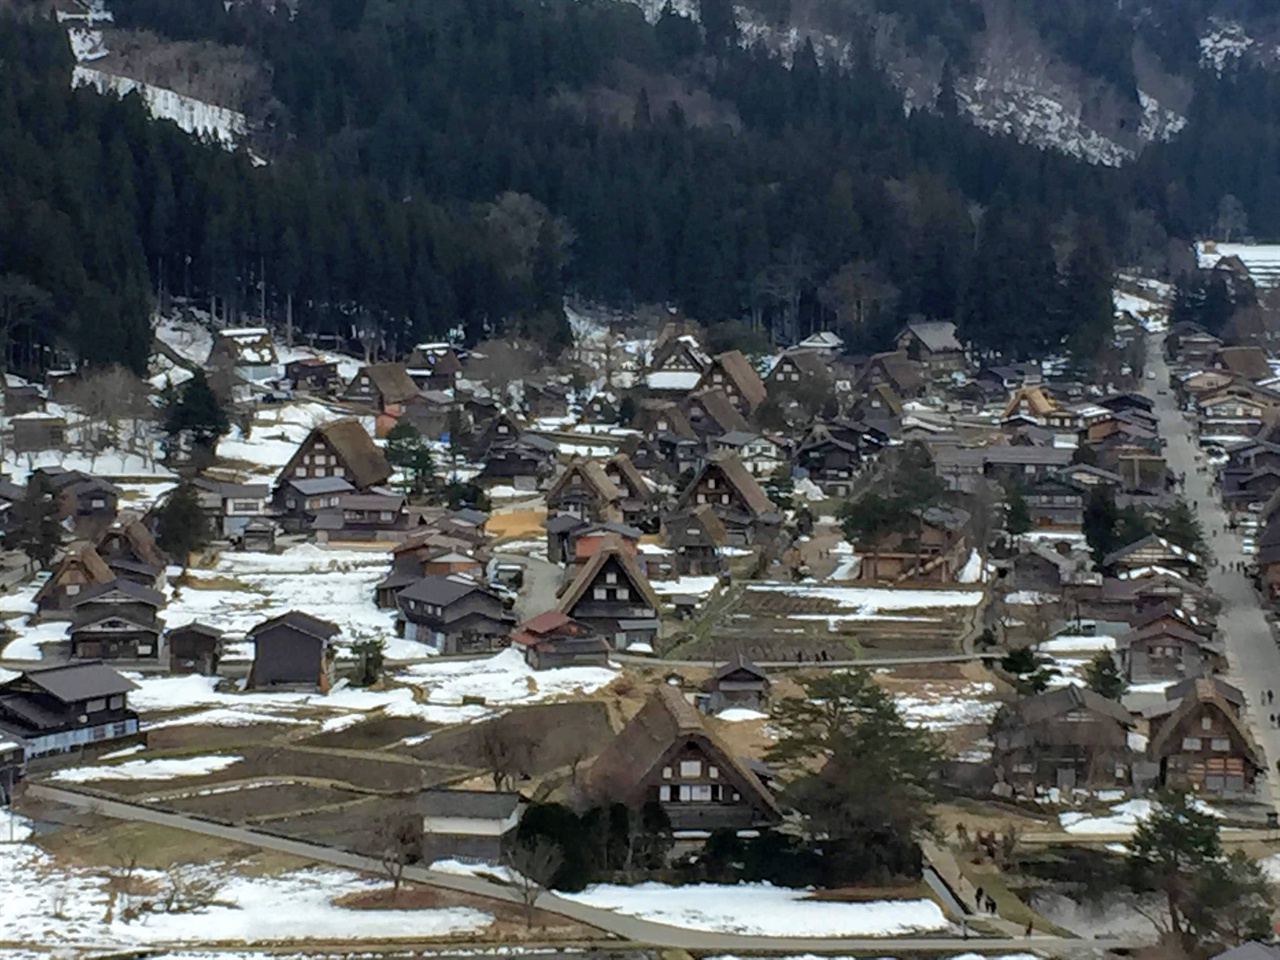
<point>470,162</point>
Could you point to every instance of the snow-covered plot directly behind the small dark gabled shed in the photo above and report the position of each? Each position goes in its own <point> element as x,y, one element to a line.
<point>244,589</point>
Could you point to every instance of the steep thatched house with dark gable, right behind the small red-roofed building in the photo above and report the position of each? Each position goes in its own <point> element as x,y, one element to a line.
<point>612,596</point>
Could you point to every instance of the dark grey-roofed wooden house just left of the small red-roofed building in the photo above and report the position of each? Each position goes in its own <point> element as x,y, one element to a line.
<point>454,615</point>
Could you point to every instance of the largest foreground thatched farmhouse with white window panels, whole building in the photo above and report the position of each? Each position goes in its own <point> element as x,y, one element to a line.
<point>666,755</point>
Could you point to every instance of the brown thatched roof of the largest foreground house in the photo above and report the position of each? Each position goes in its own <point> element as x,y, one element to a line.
<point>665,723</point>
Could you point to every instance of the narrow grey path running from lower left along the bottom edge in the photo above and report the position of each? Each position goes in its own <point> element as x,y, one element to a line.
<point>627,929</point>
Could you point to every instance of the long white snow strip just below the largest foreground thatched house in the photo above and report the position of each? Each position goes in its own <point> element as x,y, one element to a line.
<point>762,909</point>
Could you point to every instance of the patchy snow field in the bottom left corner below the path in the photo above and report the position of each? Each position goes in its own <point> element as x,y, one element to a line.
<point>57,907</point>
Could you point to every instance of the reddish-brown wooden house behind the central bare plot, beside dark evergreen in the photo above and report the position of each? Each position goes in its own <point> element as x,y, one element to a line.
<point>931,548</point>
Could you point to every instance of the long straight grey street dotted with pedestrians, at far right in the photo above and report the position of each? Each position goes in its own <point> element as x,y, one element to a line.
<point>1252,655</point>
